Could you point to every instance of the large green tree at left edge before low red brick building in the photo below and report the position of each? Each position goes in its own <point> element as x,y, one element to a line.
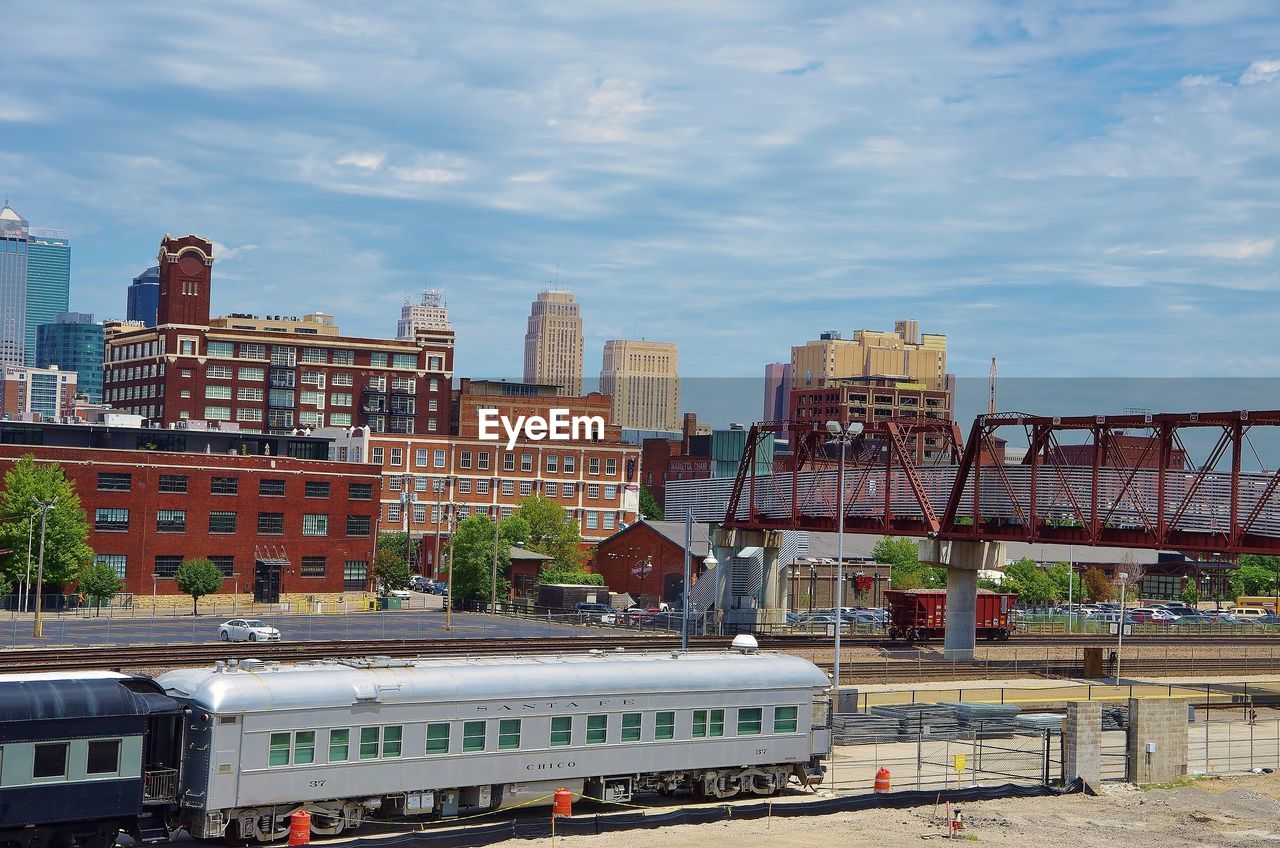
<point>66,527</point>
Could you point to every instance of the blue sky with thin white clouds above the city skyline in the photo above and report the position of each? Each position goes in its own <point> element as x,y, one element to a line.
<point>1080,189</point>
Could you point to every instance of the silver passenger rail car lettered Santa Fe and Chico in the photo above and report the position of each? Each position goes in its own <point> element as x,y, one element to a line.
<point>350,740</point>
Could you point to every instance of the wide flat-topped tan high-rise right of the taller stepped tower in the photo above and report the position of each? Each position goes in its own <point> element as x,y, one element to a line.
<point>643,379</point>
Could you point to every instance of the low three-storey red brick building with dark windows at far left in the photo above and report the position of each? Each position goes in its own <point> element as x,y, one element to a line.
<point>156,498</point>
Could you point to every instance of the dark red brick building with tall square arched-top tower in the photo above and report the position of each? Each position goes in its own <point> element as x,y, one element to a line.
<point>259,377</point>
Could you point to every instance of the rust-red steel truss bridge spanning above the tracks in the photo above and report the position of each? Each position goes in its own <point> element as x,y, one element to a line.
<point>1141,491</point>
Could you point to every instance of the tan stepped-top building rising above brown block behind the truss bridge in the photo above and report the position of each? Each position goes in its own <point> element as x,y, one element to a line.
<point>903,353</point>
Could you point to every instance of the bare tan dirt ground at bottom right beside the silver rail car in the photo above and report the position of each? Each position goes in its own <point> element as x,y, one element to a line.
<point>1235,810</point>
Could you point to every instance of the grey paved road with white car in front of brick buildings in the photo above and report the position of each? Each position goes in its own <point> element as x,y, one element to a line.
<point>418,624</point>
